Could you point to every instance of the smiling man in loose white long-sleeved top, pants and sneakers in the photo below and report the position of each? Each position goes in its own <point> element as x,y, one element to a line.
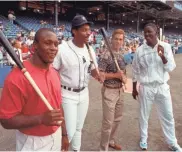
<point>152,62</point>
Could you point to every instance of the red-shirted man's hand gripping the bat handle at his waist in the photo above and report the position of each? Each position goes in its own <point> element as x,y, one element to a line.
<point>52,118</point>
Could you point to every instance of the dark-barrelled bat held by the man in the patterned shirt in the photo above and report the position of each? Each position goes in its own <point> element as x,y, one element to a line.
<point>103,31</point>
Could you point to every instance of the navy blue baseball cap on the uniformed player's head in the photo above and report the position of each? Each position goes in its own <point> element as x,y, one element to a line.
<point>79,20</point>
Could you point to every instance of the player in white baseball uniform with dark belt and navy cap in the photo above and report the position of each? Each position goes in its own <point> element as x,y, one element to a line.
<point>75,67</point>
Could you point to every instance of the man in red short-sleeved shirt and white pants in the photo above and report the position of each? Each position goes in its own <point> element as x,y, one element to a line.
<point>21,108</point>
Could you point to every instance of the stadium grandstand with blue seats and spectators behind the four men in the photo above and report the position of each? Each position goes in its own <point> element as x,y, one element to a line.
<point>22,19</point>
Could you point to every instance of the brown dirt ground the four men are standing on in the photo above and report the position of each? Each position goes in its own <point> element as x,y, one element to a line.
<point>128,135</point>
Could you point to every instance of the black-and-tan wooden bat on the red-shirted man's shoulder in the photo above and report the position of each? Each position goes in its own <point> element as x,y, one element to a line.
<point>13,55</point>
